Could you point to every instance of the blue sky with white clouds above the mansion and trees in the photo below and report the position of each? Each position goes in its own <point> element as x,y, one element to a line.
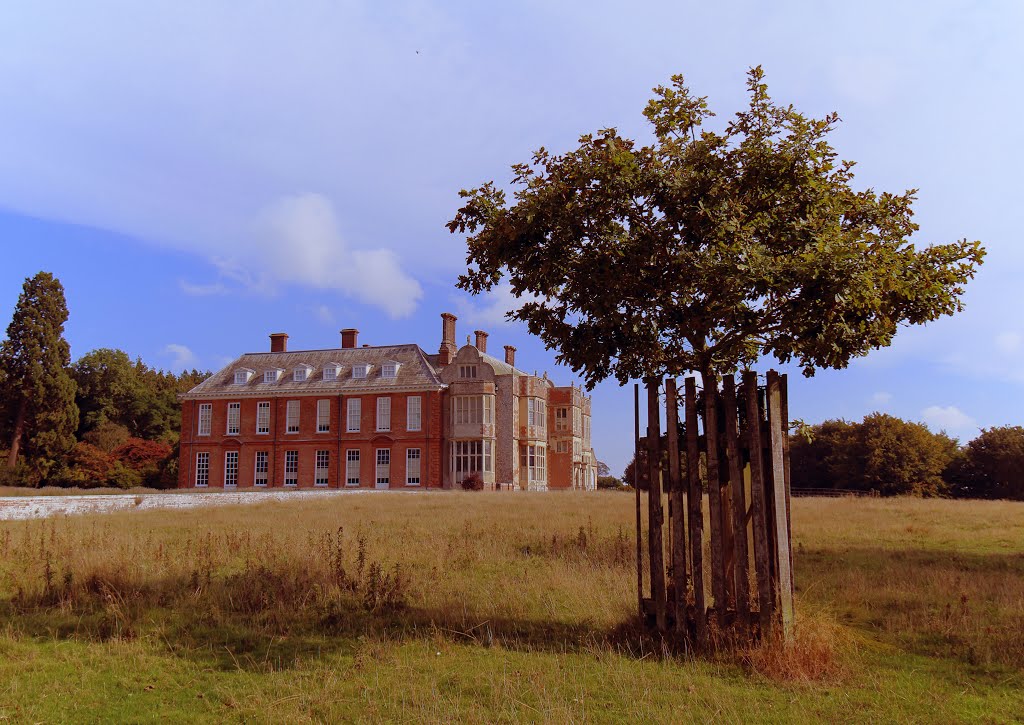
<point>201,175</point>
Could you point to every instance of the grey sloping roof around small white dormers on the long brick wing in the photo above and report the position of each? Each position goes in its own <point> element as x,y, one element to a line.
<point>415,373</point>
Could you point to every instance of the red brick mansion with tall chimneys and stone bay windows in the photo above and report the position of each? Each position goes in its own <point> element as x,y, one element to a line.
<point>385,417</point>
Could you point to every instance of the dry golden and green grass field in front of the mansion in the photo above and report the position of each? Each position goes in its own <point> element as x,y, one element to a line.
<point>494,608</point>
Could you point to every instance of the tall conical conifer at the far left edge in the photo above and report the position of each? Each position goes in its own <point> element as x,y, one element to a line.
<point>38,395</point>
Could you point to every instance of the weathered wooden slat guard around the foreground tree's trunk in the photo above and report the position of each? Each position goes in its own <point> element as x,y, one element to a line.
<point>733,447</point>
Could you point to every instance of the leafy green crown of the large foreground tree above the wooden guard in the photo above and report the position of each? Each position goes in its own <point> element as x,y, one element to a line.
<point>707,250</point>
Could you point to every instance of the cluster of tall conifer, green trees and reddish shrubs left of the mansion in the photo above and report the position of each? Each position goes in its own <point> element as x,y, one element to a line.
<point>105,420</point>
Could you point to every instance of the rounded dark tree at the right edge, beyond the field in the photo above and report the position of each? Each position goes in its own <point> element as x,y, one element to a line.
<point>993,465</point>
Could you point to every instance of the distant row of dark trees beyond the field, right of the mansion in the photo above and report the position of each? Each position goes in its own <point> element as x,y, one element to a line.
<point>895,457</point>
